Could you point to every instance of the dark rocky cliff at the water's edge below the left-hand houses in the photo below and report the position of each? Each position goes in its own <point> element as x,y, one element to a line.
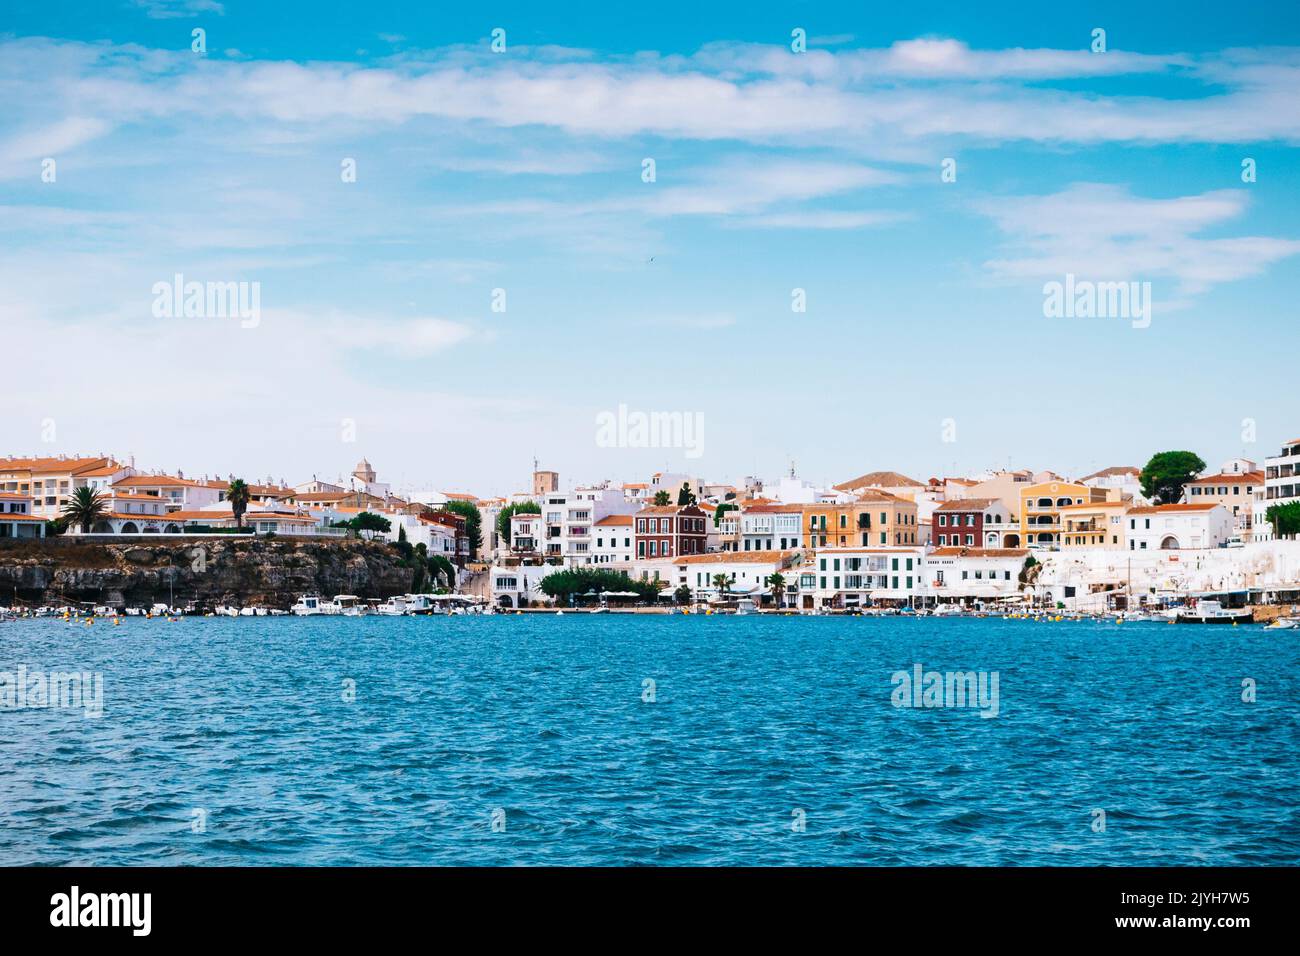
<point>207,572</point>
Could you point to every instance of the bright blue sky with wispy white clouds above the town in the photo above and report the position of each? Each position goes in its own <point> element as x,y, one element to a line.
<point>522,171</point>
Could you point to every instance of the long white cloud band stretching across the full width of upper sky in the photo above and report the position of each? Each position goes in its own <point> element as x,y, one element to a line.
<point>863,100</point>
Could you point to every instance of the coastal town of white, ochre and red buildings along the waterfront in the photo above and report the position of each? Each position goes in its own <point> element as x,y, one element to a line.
<point>1111,542</point>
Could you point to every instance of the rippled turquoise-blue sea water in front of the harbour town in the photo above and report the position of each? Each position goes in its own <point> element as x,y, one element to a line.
<point>532,741</point>
